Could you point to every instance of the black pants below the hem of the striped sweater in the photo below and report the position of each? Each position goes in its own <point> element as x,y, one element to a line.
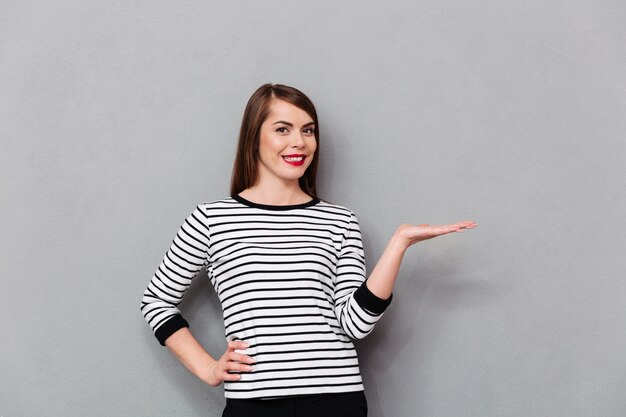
<point>349,404</point>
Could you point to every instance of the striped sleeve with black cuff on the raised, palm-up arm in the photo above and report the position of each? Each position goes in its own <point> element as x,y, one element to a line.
<point>356,307</point>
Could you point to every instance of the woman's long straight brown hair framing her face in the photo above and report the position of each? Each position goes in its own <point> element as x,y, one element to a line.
<point>245,168</point>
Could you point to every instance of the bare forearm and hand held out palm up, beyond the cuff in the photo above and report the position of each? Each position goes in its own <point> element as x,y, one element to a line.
<point>383,277</point>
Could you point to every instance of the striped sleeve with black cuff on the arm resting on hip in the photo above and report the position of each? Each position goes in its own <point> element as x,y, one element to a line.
<point>187,254</point>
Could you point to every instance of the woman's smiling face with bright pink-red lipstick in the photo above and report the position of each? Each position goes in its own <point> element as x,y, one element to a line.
<point>286,143</point>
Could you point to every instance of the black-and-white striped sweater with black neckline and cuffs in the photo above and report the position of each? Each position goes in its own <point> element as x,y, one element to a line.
<point>291,282</point>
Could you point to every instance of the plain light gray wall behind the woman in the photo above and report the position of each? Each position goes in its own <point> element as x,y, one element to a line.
<point>118,117</point>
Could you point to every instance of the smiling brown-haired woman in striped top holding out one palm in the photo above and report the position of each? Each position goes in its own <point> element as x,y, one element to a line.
<point>288,269</point>
